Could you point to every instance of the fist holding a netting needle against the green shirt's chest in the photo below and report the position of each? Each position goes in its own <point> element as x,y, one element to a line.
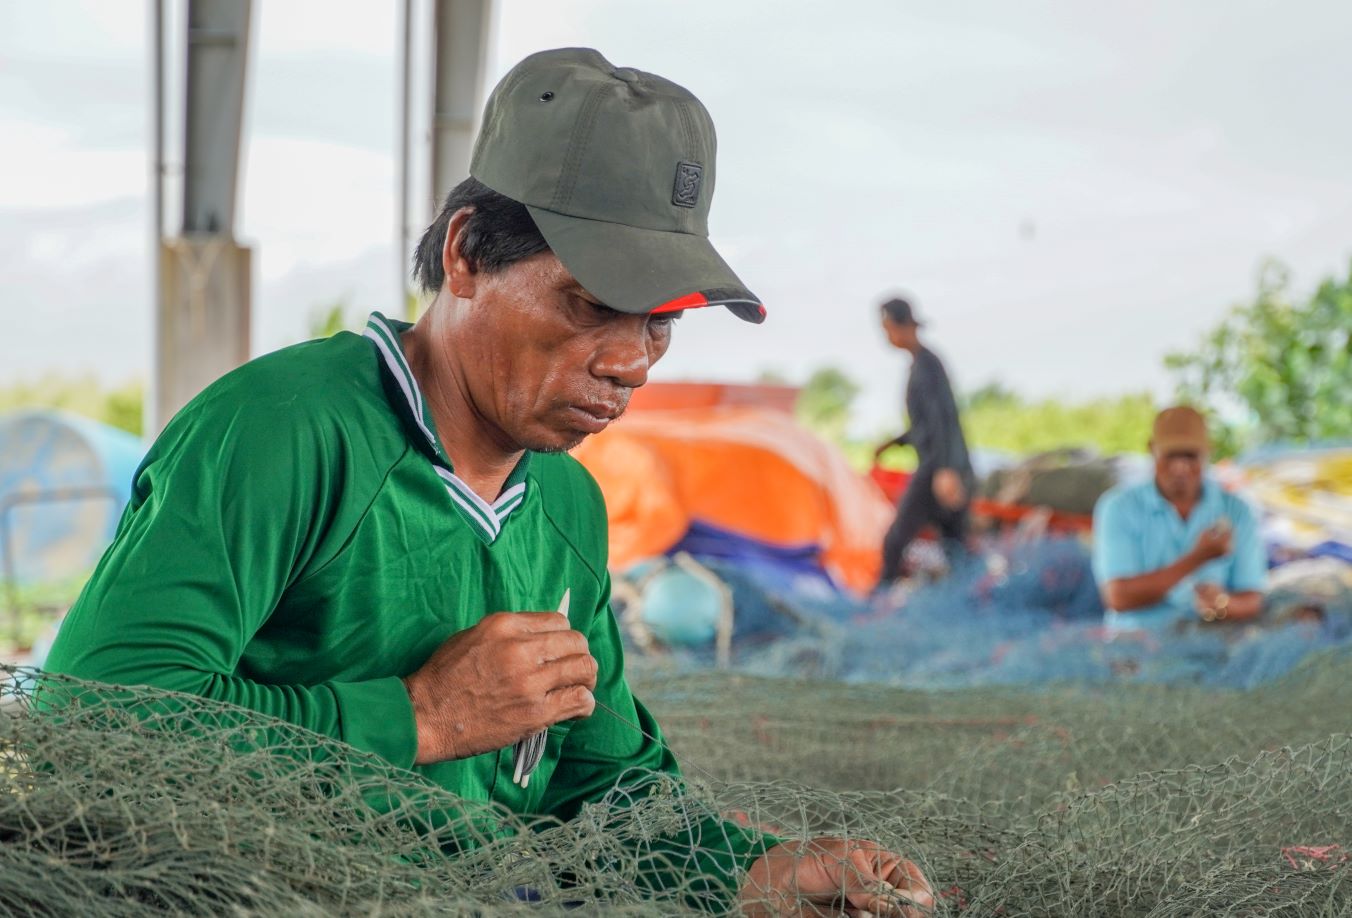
<point>509,677</point>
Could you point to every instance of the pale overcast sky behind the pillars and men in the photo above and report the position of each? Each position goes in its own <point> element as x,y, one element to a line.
<point>1067,190</point>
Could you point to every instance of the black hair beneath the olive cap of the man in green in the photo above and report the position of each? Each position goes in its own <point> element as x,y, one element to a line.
<point>498,235</point>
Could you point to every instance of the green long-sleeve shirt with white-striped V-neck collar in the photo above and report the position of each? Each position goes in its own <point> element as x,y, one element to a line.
<point>297,541</point>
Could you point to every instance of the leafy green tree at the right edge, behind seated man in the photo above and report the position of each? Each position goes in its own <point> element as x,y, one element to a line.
<point>1274,370</point>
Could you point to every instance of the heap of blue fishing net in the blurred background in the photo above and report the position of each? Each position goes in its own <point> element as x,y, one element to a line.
<point>1019,614</point>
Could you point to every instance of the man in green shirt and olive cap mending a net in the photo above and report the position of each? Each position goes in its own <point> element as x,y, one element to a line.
<point>368,536</point>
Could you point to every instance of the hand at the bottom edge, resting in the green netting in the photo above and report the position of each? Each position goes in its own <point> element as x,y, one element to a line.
<point>835,877</point>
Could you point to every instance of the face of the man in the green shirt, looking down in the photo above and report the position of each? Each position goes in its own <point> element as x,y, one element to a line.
<point>548,364</point>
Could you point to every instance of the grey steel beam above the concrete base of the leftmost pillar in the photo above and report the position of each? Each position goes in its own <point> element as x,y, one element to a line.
<point>218,55</point>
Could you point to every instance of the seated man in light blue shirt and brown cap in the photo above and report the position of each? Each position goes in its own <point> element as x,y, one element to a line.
<point>1177,548</point>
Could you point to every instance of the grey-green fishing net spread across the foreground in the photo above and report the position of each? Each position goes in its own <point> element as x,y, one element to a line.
<point>1126,801</point>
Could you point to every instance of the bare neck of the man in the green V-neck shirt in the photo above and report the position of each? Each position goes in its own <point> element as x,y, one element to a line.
<point>479,452</point>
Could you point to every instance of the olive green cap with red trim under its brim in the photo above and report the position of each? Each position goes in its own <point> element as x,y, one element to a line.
<point>617,170</point>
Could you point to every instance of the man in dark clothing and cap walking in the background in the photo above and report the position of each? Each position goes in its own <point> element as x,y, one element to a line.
<point>940,490</point>
